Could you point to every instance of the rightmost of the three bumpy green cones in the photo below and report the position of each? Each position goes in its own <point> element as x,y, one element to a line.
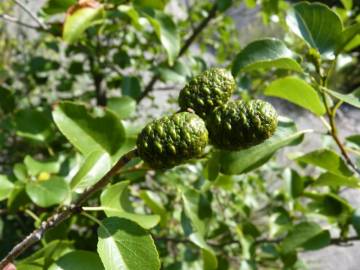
<point>240,124</point>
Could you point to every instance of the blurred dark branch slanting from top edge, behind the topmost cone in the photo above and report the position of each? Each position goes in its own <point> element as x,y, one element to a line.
<point>149,87</point>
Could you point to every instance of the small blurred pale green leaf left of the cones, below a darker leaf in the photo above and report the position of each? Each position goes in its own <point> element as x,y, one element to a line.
<point>124,107</point>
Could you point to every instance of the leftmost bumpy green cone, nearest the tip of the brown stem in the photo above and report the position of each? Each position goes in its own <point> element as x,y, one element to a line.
<point>172,140</point>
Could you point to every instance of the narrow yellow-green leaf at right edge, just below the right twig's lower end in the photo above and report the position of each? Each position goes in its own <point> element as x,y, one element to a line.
<point>332,180</point>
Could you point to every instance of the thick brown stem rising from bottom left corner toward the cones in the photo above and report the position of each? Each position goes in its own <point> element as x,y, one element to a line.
<point>65,212</point>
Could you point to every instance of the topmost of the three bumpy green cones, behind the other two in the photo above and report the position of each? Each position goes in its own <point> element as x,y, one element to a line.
<point>207,91</point>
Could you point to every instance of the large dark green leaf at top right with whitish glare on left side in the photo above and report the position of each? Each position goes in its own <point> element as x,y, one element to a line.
<point>319,26</point>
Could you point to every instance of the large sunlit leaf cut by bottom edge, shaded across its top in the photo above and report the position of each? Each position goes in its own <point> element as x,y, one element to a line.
<point>125,245</point>
